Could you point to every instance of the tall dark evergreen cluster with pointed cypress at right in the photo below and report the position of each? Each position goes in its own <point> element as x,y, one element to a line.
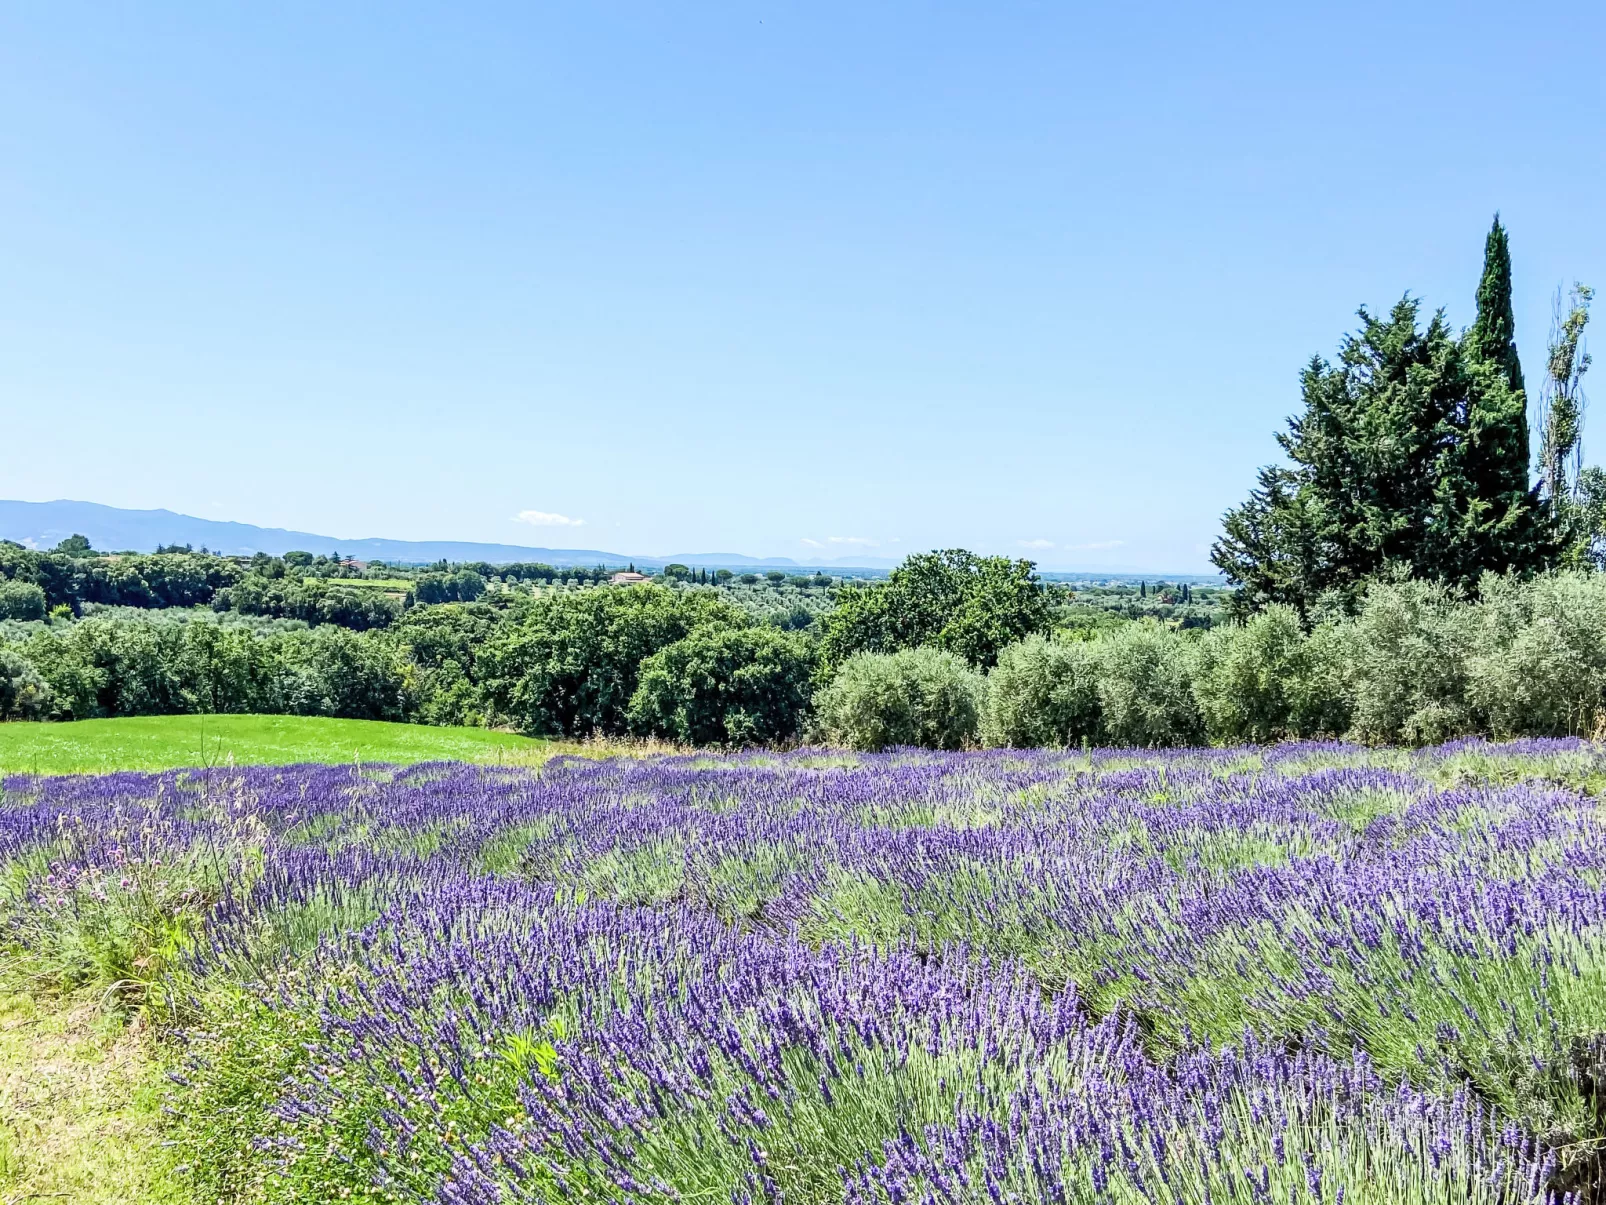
<point>1411,455</point>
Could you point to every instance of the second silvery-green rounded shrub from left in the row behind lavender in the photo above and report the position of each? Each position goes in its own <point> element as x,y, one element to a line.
<point>1043,693</point>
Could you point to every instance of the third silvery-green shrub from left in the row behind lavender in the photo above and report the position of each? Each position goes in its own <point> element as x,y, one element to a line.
<point>1146,687</point>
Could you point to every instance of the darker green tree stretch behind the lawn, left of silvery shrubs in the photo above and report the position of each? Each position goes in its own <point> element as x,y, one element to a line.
<point>645,660</point>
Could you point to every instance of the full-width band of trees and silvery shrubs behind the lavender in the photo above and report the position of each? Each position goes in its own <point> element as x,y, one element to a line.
<point>1417,663</point>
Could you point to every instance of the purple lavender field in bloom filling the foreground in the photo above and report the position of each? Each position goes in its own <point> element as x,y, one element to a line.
<point>1292,974</point>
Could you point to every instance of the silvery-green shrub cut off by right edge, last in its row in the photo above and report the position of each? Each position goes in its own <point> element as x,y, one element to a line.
<point>1539,655</point>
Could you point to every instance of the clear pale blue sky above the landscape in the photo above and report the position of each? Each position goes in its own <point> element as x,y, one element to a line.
<point>777,279</point>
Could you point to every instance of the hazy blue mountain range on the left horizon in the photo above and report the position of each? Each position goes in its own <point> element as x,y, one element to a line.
<point>115,529</point>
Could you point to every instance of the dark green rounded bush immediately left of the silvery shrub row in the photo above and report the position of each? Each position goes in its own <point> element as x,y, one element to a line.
<point>732,687</point>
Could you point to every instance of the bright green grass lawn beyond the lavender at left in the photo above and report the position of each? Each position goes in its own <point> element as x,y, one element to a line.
<point>171,741</point>
